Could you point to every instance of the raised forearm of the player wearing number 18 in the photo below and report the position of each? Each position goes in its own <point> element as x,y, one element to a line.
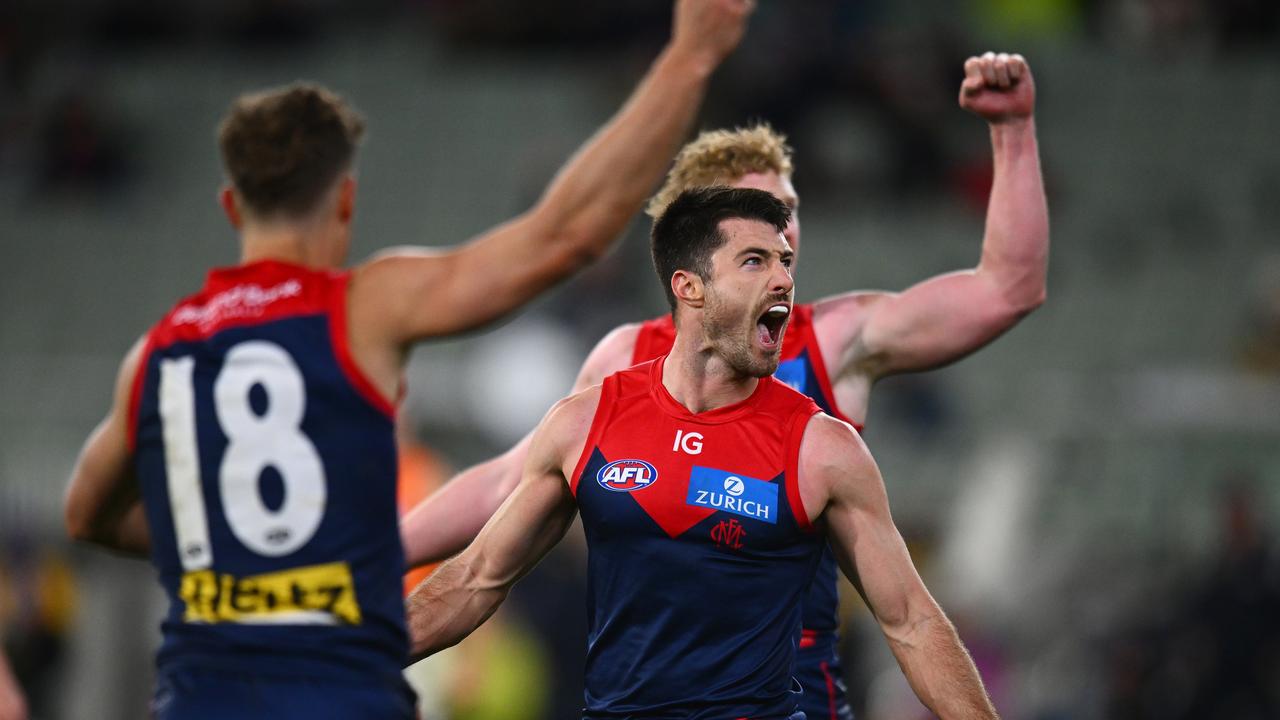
<point>598,193</point>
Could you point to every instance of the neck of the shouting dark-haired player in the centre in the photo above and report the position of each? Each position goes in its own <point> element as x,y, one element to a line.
<point>697,377</point>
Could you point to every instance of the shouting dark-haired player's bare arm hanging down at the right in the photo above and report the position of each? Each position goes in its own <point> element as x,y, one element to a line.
<point>838,473</point>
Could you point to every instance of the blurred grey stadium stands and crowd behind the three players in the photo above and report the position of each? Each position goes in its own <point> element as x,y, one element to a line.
<point>1095,498</point>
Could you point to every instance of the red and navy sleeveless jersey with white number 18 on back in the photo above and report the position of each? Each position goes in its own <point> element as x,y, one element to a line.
<point>268,471</point>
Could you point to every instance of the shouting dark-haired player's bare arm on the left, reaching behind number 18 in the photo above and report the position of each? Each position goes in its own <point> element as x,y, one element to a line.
<point>468,590</point>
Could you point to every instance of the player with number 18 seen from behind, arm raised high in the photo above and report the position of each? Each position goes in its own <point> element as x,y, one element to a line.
<point>250,450</point>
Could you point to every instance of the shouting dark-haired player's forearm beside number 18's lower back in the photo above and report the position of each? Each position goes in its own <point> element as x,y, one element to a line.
<point>447,608</point>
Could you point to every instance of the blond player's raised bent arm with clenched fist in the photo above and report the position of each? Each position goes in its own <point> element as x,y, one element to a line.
<point>945,318</point>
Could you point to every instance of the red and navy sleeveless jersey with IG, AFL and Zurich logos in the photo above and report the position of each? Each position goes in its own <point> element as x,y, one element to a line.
<point>700,552</point>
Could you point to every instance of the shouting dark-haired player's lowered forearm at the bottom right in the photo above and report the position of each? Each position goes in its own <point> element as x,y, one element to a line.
<point>940,669</point>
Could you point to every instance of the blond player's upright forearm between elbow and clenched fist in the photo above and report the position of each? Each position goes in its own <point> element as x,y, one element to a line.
<point>1016,245</point>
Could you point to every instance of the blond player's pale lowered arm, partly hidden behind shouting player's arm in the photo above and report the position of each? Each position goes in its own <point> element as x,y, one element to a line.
<point>446,522</point>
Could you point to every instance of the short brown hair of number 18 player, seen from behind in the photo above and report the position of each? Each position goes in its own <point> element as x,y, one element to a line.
<point>285,148</point>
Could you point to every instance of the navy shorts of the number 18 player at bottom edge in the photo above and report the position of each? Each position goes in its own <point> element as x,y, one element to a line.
<point>212,695</point>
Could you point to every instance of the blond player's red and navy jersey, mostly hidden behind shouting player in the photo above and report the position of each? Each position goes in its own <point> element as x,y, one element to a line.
<point>803,370</point>
